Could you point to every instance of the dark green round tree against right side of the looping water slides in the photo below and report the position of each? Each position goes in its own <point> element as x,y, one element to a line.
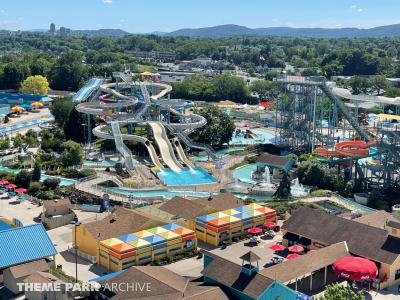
<point>219,127</point>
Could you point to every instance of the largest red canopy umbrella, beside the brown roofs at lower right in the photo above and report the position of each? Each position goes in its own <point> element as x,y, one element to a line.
<point>355,268</point>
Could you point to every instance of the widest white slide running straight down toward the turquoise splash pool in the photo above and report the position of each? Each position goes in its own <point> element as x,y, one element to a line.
<point>166,150</point>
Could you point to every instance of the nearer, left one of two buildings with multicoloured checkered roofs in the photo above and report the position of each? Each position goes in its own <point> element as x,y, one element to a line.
<point>145,246</point>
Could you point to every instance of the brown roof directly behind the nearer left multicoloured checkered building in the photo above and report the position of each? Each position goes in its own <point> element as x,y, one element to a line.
<point>126,221</point>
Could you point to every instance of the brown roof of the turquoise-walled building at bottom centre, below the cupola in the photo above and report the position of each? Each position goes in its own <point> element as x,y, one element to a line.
<point>229,274</point>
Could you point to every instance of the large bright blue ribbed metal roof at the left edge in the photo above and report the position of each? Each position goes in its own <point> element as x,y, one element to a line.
<point>22,244</point>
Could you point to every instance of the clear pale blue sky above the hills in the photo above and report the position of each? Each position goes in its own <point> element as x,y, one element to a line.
<point>145,16</point>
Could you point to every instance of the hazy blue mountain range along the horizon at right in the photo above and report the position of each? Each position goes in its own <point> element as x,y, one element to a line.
<point>236,30</point>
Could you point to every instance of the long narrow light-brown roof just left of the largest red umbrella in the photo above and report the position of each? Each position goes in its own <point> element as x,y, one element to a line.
<point>305,264</point>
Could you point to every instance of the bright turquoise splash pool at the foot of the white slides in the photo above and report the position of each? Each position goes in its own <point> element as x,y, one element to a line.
<point>186,176</point>
